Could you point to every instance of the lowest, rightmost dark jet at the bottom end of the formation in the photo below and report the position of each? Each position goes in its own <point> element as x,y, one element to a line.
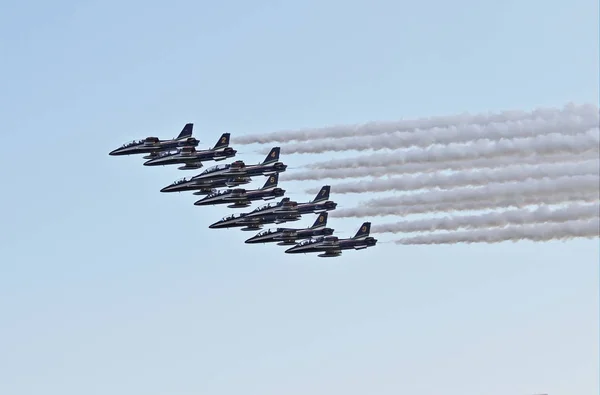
<point>331,246</point>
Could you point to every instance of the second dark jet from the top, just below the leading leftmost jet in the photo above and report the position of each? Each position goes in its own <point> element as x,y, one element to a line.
<point>192,158</point>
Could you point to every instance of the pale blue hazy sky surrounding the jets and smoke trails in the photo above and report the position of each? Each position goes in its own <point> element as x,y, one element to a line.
<point>108,286</point>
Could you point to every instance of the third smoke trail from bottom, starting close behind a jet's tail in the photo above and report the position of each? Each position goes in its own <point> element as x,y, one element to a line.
<point>561,194</point>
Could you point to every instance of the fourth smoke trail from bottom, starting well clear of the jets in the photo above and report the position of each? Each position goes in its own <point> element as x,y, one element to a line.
<point>492,191</point>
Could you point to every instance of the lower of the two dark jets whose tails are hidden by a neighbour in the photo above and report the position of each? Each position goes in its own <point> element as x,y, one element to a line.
<point>284,211</point>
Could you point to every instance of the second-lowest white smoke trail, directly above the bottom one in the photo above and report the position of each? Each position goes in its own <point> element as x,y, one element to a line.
<point>493,219</point>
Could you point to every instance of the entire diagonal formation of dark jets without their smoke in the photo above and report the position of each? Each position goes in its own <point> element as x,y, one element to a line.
<point>183,151</point>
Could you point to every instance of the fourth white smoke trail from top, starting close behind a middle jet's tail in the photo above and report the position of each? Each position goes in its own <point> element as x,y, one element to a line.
<point>411,168</point>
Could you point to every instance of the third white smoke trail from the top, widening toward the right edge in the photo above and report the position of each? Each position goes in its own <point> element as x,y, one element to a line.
<point>548,144</point>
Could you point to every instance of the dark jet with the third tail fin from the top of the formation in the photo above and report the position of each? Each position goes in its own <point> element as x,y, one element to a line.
<point>271,165</point>
